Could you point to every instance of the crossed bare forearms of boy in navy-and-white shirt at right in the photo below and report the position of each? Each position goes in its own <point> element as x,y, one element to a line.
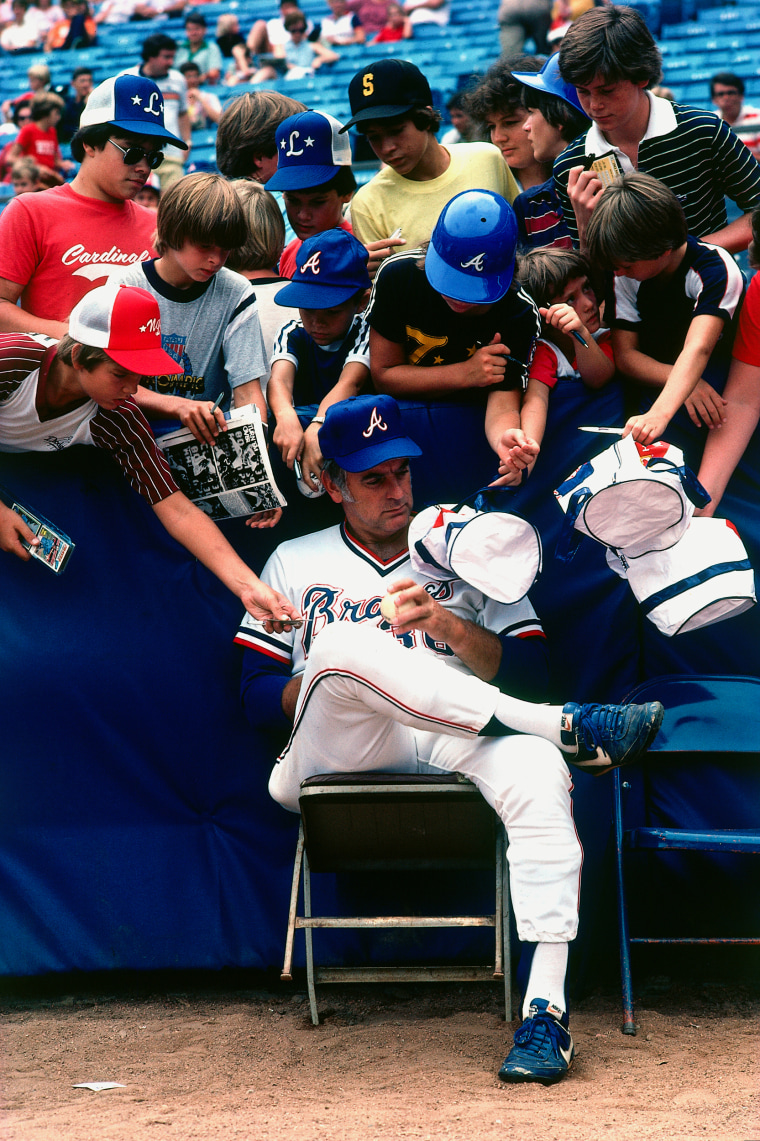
<point>681,379</point>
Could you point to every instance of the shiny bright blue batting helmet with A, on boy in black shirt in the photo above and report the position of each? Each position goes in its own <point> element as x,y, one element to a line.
<point>472,253</point>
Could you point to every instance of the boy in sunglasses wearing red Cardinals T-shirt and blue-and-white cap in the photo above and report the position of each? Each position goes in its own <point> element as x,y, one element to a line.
<point>56,247</point>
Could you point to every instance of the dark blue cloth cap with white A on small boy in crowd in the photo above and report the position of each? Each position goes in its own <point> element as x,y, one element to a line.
<point>330,268</point>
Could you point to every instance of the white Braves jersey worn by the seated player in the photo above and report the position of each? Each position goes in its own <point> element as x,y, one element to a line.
<point>330,577</point>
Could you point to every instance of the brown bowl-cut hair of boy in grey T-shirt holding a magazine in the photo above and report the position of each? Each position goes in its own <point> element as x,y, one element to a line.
<point>200,208</point>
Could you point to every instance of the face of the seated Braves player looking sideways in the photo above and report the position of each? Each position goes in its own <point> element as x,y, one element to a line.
<point>381,504</point>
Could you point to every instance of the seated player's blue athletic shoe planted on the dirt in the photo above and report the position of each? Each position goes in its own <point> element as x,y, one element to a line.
<point>544,1047</point>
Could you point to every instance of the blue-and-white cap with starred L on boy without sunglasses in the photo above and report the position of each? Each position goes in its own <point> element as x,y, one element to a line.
<point>311,151</point>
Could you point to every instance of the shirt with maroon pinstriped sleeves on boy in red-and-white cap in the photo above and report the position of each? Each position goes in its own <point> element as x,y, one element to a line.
<point>25,362</point>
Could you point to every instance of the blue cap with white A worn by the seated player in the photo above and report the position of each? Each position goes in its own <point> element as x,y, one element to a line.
<point>365,431</point>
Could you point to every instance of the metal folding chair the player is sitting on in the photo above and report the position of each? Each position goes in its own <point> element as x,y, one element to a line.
<point>391,822</point>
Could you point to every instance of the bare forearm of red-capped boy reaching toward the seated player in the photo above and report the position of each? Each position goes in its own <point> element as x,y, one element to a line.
<point>201,537</point>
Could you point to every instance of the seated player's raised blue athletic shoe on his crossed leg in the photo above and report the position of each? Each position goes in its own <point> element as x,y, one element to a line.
<point>603,738</point>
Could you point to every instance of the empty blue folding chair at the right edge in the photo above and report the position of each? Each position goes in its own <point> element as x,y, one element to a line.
<point>712,730</point>
